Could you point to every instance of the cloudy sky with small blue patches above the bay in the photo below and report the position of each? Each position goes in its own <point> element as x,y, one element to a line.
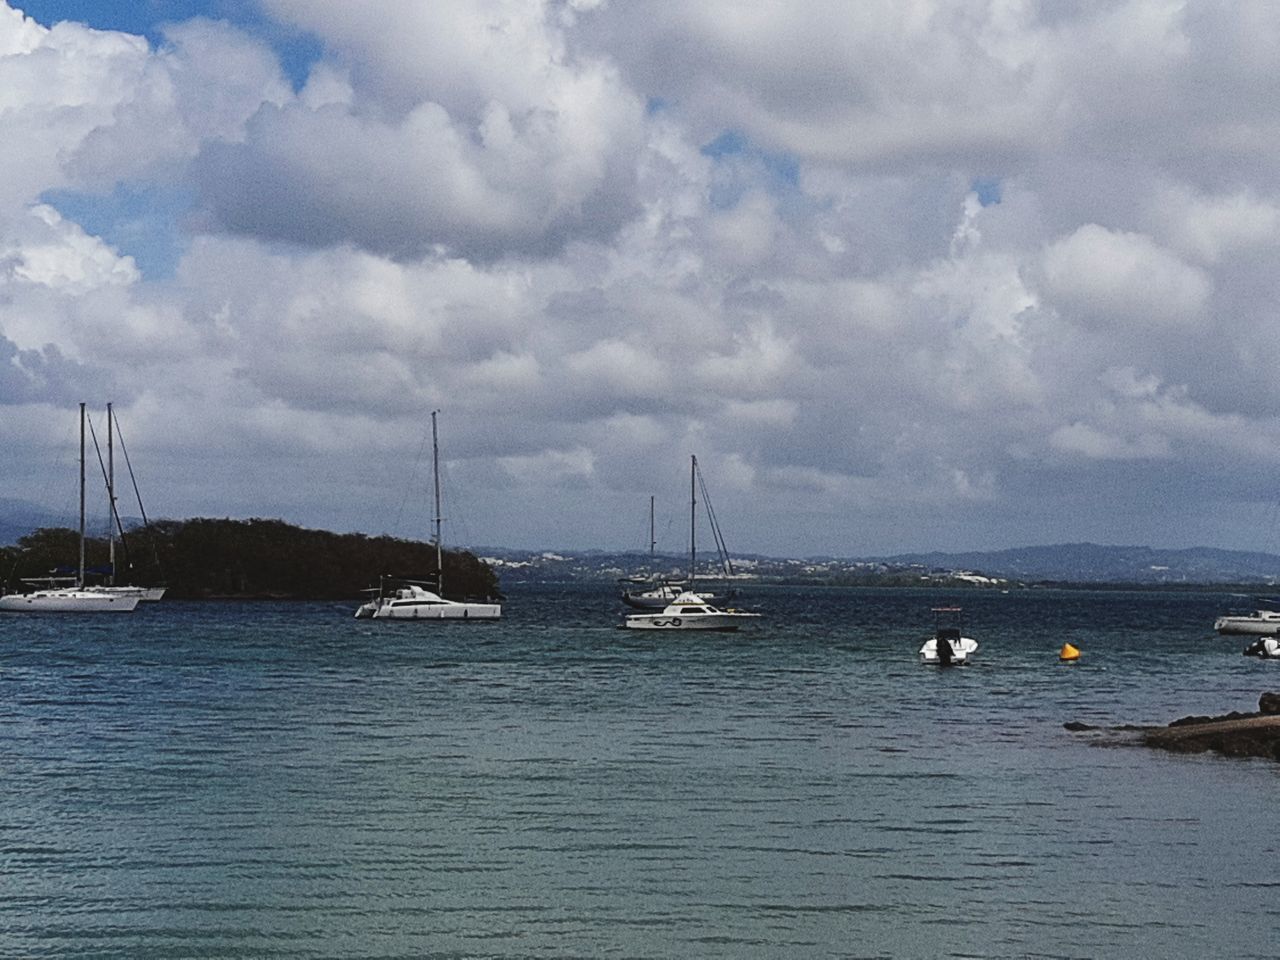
<point>903,275</point>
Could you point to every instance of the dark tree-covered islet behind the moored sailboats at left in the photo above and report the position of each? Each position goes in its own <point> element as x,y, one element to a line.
<point>249,559</point>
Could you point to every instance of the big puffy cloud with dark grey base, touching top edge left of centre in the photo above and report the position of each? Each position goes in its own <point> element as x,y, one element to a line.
<point>473,129</point>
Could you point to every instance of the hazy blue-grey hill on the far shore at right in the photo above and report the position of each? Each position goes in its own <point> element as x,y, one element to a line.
<point>1092,564</point>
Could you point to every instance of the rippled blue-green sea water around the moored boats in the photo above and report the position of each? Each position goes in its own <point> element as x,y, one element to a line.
<point>278,780</point>
